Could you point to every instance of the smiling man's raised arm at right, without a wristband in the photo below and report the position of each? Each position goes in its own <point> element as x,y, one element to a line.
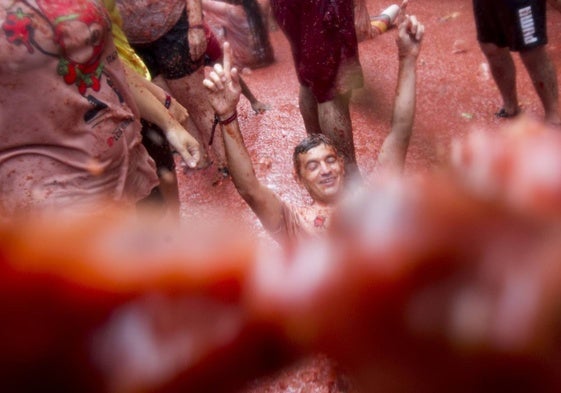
<point>394,149</point>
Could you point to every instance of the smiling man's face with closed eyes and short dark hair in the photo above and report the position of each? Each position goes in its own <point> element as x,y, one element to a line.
<point>321,172</point>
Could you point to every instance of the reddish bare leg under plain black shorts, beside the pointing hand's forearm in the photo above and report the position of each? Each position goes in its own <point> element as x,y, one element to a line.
<point>190,93</point>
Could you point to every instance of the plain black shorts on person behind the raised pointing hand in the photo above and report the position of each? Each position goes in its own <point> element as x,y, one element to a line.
<point>169,55</point>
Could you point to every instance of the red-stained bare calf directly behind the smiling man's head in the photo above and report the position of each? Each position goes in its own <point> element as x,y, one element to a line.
<point>335,122</point>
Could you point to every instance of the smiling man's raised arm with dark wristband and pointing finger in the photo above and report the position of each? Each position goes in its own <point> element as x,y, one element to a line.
<point>224,90</point>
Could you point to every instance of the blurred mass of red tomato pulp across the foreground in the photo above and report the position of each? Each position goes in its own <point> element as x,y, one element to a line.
<point>428,282</point>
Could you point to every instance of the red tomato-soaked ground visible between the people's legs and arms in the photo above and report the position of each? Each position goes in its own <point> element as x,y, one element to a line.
<point>455,95</point>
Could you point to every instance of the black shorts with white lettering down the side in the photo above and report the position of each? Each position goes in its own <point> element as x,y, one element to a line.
<point>516,24</point>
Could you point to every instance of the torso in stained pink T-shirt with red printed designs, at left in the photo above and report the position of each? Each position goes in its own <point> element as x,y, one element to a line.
<point>69,131</point>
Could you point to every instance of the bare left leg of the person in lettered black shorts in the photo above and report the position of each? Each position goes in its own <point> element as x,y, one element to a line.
<point>504,73</point>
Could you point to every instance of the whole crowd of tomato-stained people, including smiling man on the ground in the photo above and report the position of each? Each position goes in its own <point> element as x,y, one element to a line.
<point>99,98</point>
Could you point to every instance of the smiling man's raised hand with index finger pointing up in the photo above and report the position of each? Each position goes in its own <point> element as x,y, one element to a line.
<point>223,85</point>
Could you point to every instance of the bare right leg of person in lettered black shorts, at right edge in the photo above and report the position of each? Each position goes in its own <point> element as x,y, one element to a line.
<point>544,77</point>
